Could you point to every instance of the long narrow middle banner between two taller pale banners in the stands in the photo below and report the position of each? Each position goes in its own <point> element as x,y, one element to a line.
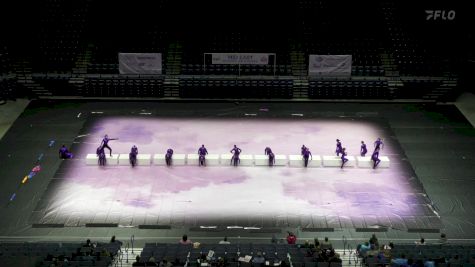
<point>240,58</point>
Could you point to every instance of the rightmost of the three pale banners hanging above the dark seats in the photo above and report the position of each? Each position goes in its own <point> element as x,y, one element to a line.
<point>329,65</point>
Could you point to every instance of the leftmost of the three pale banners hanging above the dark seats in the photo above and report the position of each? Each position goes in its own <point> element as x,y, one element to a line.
<point>140,63</point>
